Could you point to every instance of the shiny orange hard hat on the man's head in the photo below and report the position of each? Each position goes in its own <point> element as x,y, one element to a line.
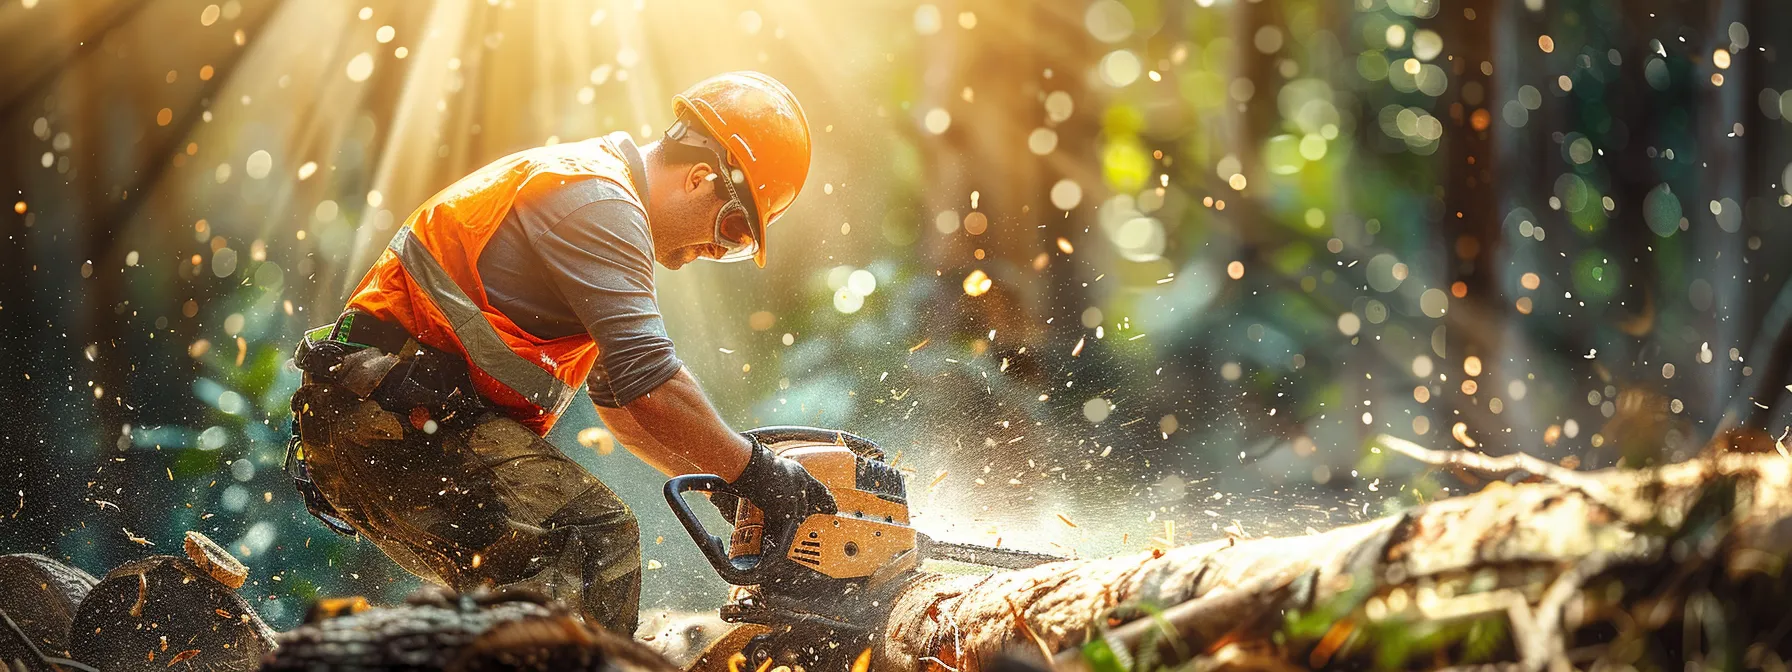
<point>764,132</point>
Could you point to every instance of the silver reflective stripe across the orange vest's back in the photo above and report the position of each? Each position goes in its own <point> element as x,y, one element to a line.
<point>483,345</point>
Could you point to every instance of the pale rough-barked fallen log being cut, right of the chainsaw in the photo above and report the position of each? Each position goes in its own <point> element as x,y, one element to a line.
<point>1648,569</point>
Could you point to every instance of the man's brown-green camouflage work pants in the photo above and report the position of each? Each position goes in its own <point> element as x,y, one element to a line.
<point>487,503</point>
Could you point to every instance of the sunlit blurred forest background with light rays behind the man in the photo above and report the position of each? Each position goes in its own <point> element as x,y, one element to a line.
<point>1099,275</point>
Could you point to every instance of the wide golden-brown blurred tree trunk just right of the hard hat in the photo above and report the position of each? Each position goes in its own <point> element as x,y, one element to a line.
<point>995,82</point>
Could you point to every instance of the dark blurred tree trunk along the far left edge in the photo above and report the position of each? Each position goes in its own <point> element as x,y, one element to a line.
<point>39,306</point>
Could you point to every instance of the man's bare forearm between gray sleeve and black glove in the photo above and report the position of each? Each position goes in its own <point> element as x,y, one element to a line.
<point>676,431</point>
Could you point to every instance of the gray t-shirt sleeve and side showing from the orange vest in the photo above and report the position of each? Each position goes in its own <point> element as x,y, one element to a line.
<point>574,255</point>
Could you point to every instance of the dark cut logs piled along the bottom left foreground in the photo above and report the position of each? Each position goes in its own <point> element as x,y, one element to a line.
<point>184,614</point>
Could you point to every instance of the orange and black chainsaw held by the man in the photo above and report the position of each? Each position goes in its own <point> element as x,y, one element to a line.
<point>813,605</point>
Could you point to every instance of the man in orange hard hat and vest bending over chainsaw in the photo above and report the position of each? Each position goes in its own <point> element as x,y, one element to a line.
<point>422,413</point>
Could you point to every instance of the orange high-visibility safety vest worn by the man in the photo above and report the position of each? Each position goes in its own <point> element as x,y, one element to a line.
<point>427,282</point>
